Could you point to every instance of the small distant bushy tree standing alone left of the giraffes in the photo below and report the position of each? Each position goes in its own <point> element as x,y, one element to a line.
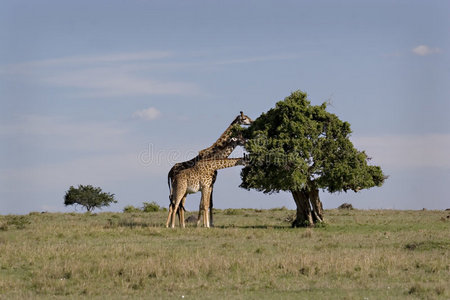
<point>88,196</point>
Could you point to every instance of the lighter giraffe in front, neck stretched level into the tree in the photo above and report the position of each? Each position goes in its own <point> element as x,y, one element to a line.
<point>194,179</point>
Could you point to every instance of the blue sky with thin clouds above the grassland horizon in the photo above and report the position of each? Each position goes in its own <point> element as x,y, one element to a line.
<point>112,93</point>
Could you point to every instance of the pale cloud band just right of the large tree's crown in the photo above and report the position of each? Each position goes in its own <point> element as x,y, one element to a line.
<point>407,151</point>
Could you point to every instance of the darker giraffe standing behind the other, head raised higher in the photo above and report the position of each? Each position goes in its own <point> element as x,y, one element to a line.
<point>222,148</point>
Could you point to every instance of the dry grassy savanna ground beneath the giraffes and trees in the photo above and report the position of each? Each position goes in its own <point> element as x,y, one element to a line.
<point>250,254</point>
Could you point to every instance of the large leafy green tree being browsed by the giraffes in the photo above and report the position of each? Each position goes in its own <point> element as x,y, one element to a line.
<point>302,148</point>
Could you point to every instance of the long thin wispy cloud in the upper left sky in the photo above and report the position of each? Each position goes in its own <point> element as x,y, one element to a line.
<point>112,75</point>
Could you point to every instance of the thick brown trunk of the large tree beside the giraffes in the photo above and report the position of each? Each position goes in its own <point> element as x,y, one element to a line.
<point>309,208</point>
